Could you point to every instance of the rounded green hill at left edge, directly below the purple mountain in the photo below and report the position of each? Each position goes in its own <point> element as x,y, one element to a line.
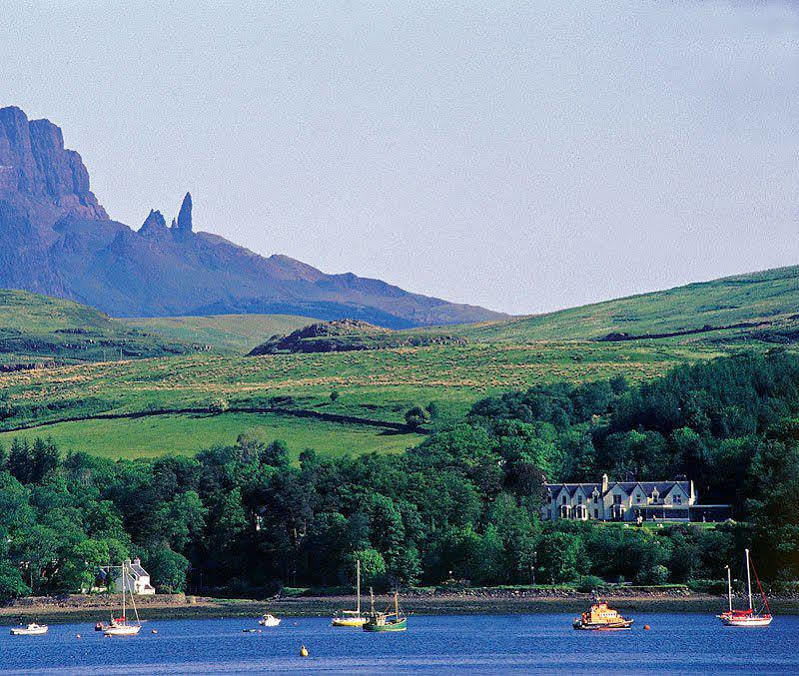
<point>36,329</point>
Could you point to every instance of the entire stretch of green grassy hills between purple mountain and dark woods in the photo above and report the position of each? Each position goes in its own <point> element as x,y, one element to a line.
<point>185,403</point>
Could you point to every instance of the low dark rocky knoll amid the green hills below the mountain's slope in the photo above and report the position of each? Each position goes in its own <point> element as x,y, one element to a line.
<point>348,335</point>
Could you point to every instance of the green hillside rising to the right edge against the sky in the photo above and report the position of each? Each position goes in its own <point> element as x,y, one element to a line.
<point>760,306</point>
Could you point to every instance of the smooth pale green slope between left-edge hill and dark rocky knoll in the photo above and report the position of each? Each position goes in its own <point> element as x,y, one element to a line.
<point>231,334</point>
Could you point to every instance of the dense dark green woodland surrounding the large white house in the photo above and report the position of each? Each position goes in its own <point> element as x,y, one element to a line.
<point>464,504</point>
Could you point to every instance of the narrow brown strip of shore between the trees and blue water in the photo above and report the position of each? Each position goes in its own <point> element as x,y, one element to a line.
<point>64,610</point>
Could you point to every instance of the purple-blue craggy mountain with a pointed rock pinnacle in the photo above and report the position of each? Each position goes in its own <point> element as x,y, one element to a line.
<point>55,238</point>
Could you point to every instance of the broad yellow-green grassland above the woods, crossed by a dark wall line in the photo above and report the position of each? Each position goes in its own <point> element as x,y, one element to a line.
<point>379,385</point>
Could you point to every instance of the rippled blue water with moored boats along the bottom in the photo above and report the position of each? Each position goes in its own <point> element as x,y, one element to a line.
<point>490,644</point>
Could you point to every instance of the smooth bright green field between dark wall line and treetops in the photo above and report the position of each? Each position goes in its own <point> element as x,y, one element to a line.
<point>187,434</point>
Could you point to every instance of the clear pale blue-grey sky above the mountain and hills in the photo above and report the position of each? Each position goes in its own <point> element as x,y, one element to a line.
<point>523,156</point>
